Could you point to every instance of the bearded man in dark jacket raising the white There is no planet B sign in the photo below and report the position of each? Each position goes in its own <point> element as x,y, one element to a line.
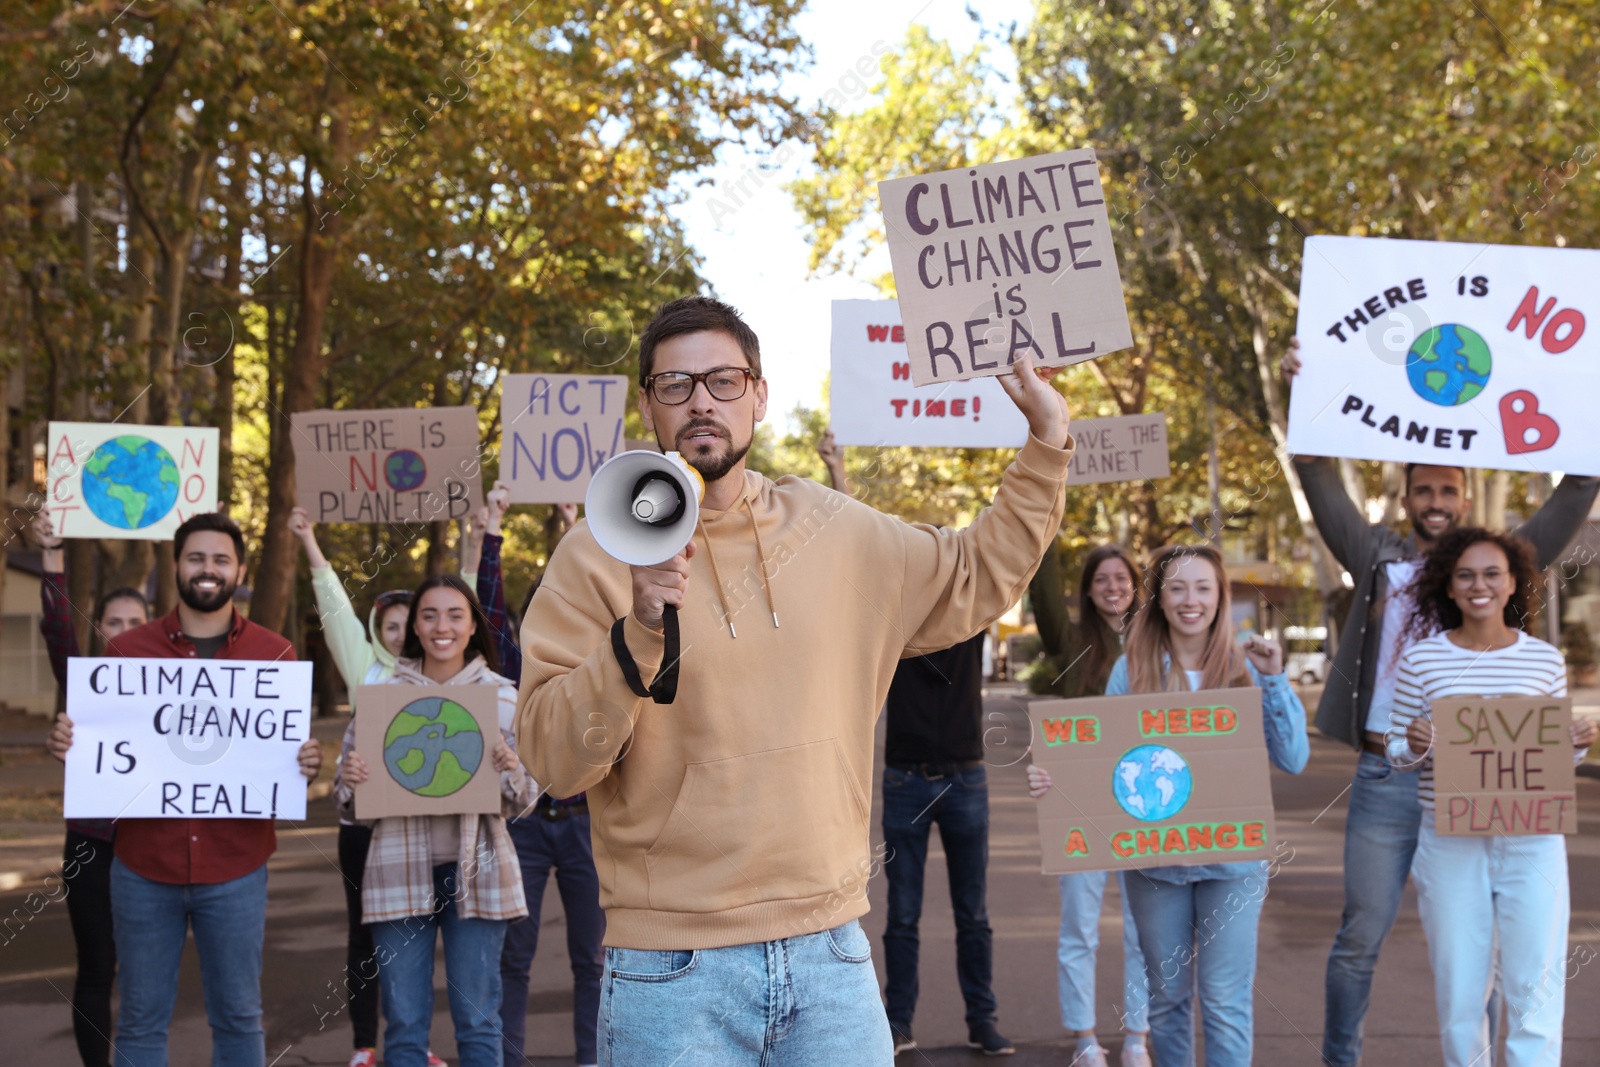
<point>1383,818</point>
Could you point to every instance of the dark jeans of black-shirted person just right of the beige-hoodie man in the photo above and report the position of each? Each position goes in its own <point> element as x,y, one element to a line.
<point>961,805</point>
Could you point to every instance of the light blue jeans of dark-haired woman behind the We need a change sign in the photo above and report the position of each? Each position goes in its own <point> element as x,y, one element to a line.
<point>1078,946</point>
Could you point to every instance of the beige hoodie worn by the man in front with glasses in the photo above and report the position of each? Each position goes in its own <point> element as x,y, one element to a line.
<point>740,812</point>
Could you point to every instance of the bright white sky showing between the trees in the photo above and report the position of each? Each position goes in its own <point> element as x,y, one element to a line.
<point>756,258</point>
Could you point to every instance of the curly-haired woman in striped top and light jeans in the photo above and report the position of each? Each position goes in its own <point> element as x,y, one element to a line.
<point>1473,597</point>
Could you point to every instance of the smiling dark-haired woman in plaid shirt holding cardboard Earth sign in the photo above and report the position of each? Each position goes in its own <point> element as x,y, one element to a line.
<point>452,874</point>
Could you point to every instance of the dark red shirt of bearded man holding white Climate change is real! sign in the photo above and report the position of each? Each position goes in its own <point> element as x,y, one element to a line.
<point>196,852</point>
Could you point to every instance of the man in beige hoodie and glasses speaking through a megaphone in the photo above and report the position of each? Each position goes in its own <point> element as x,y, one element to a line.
<point>729,753</point>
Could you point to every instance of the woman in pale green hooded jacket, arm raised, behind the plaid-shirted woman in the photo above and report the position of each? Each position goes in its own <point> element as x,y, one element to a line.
<point>364,657</point>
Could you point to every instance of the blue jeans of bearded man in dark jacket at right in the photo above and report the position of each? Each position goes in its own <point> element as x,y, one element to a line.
<point>1380,839</point>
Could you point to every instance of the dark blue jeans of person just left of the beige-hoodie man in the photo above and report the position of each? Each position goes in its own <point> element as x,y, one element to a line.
<point>566,847</point>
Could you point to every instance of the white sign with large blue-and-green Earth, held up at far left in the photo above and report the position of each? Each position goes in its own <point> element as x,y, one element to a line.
<point>130,482</point>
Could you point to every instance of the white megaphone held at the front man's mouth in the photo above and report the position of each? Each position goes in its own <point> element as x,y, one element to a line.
<point>642,506</point>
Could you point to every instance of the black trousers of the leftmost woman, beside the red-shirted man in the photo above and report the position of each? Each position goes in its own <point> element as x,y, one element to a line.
<point>86,869</point>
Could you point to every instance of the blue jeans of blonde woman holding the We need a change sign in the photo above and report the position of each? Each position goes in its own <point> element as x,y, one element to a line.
<point>1199,935</point>
